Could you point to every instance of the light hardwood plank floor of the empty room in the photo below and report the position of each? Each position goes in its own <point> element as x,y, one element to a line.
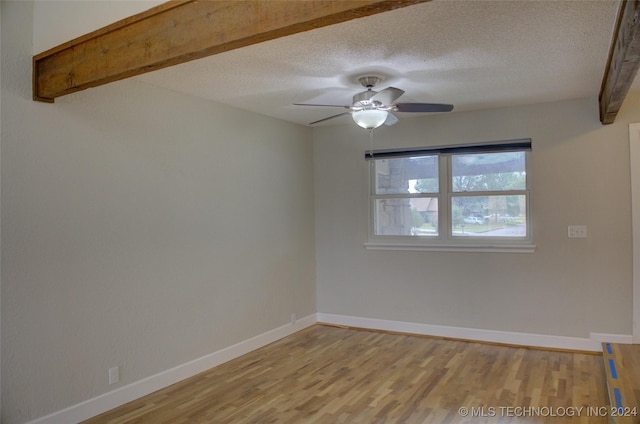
<point>326,374</point>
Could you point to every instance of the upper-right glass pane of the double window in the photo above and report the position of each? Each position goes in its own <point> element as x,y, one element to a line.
<point>488,172</point>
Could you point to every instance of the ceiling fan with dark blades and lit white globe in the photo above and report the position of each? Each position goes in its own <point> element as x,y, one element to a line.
<point>371,109</point>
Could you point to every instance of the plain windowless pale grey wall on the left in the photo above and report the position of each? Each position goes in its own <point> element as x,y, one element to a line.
<point>140,228</point>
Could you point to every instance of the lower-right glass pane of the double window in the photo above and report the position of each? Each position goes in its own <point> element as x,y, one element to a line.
<point>489,216</point>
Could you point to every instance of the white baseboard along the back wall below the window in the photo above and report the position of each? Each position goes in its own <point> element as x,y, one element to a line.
<point>592,344</point>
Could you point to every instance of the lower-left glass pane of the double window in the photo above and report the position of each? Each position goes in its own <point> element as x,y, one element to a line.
<point>406,217</point>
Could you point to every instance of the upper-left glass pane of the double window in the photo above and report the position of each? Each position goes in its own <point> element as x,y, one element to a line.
<point>406,175</point>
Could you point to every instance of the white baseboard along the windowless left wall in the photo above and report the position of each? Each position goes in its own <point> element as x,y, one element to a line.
<point>120,396</point>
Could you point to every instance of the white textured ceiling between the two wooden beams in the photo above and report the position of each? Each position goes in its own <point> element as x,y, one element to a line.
<point>473,54</point>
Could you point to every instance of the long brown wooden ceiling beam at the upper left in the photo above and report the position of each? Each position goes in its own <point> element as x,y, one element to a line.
<point>183,30</point>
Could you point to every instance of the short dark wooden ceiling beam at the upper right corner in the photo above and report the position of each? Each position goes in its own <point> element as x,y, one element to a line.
<point>623,63</point>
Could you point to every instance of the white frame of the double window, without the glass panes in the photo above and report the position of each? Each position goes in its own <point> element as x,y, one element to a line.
<point>445,240</point>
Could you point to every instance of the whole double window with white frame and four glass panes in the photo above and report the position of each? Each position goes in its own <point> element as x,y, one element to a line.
<point>457,198</point>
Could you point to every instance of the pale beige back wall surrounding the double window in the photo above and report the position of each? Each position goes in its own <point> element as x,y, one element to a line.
<point>580,172</point>
